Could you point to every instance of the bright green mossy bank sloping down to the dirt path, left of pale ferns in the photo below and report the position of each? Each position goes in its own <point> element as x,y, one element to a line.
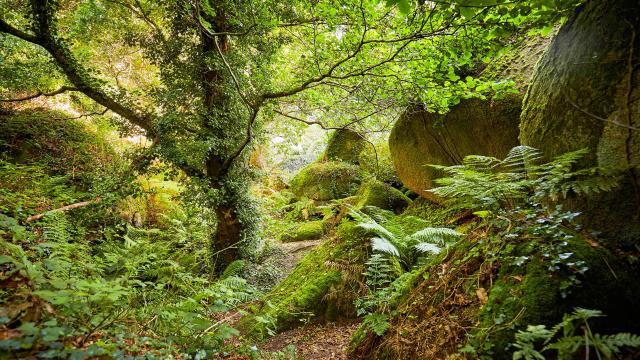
<point>305,292</point>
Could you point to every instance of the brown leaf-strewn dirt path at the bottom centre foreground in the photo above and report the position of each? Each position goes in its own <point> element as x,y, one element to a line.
<point>315,341</point>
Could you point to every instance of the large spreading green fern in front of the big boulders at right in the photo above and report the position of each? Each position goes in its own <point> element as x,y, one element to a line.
<point>488,183</point>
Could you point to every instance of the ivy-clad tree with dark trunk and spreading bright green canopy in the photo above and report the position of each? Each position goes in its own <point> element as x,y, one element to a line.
<point>218,70</point>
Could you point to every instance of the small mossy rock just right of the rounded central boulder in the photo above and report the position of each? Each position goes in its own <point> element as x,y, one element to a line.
<point>376,193</point>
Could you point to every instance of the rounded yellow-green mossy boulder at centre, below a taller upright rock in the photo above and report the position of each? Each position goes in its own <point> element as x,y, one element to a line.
<point>326,181</point>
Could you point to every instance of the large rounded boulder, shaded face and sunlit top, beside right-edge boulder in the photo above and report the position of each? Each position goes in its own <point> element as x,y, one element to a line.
<point>474,126</point>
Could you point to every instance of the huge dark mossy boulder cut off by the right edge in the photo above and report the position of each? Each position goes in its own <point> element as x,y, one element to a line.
<point>581,97</point>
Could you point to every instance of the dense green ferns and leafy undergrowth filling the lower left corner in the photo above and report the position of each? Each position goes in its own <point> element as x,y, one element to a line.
<point>71,294</point>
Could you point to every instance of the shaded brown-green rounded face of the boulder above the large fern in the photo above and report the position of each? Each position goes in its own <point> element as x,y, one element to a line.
<point>472,127</point>
